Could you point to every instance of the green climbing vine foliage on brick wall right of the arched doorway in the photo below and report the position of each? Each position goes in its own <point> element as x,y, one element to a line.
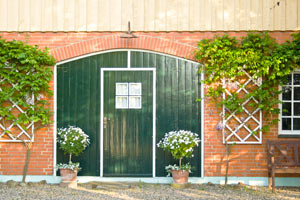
<point>224,58</point>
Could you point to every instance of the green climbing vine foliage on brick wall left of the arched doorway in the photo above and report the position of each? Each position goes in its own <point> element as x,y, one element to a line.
<point>24,79</point>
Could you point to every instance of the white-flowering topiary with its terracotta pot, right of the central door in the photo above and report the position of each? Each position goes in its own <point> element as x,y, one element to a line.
<point>180,144</point>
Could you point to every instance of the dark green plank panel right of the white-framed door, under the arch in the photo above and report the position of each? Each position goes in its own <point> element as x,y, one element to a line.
<point>178,87</point>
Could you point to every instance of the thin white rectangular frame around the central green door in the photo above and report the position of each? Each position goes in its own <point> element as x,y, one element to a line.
<point>102,110</point>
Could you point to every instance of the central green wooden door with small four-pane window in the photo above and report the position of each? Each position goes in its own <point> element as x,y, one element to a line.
<point>127,124</point>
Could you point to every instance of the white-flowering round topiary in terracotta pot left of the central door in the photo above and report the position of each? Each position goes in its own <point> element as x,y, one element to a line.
<point>72,141</point>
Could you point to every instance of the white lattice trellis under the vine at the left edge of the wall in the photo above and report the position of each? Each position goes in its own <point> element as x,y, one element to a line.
<point>18,133</point>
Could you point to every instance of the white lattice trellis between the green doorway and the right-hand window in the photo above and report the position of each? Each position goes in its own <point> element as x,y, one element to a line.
<point>242,127</point>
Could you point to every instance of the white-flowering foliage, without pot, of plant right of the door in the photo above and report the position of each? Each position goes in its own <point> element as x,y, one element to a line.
<point>180,144</point>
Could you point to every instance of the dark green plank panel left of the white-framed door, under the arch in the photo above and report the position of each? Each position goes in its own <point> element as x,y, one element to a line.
<point>78,103</point>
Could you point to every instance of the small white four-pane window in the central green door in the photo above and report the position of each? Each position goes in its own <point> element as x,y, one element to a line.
<point>128,95</point>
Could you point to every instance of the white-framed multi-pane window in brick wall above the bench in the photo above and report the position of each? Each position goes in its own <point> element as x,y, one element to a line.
<point>290,108</point>
